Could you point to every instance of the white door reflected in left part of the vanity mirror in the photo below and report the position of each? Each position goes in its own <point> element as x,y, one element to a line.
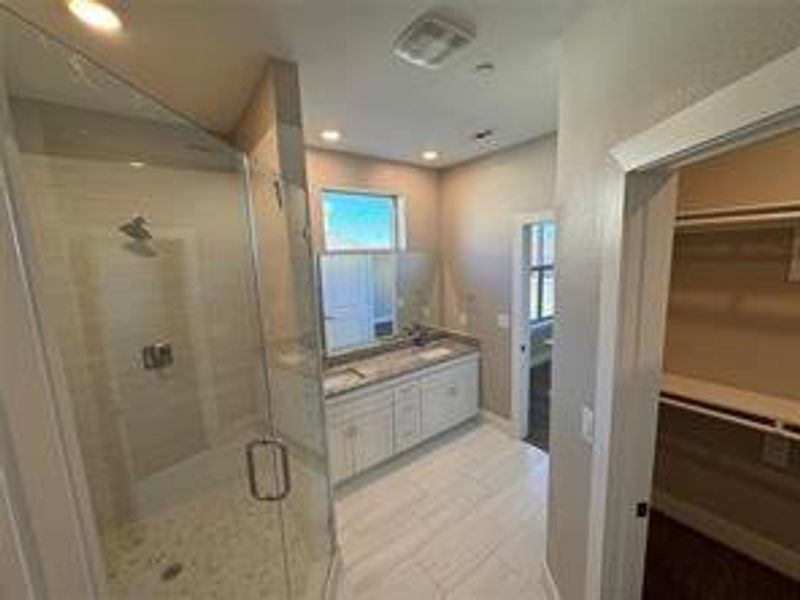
<point>347,299</point>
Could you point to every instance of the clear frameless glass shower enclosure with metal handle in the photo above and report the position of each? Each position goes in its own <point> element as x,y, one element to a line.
<point>176,296</point>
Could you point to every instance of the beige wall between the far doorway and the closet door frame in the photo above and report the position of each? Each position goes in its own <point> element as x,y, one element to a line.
<point>626,65</point>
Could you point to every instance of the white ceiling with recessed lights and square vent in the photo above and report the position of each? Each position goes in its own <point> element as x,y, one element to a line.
<point>204,56</point>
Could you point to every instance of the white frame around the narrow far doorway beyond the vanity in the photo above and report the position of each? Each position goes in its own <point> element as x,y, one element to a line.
<point>520,320</point>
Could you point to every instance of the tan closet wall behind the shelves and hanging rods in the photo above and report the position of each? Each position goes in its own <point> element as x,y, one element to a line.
<point>734,319</point>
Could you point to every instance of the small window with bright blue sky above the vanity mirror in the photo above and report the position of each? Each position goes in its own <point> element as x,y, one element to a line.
<point>355,221</point>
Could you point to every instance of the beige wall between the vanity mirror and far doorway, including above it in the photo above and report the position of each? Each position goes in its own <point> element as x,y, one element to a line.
<point>479,202</point>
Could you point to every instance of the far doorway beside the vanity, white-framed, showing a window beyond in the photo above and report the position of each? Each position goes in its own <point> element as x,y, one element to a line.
<point>533,305</point>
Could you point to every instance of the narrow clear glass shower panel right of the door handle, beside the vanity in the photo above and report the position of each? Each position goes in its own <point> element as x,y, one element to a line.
<point>292,338</point>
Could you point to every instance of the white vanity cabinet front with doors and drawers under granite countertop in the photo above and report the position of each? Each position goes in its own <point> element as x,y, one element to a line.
<point>370,425</point>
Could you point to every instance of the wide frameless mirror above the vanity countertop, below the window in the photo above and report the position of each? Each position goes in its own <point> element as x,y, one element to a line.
<point>370,297</point>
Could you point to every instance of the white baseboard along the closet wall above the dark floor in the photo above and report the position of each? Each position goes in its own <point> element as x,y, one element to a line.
<point>733,535</point>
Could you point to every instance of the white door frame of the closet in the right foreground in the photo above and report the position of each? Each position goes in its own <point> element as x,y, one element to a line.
<point>641,197</point>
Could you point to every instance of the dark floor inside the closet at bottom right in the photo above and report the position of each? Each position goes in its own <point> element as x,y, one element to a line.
<point>685,565</point>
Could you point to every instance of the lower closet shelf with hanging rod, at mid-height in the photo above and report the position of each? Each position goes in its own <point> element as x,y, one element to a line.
<point>771,414</point>
